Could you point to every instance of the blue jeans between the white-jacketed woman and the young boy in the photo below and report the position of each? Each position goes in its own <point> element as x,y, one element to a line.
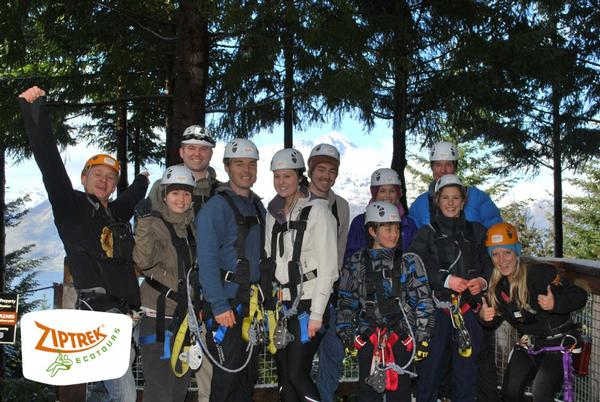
<point>331,356</point>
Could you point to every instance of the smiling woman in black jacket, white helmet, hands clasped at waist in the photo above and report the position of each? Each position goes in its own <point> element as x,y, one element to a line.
<point>457,267</point>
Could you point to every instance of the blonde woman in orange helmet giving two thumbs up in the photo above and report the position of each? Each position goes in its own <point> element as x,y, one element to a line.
<point>533,298</point>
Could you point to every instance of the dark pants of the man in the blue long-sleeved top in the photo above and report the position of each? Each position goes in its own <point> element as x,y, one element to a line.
<point>231,353</point>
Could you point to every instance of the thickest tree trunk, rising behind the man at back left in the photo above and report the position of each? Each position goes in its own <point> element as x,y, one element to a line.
<point>191,72</point>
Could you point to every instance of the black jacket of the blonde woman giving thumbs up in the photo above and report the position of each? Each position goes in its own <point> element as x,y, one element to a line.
<point>534,320</point>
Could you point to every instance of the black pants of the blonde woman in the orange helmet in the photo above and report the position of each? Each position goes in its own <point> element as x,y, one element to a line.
<point>544,369</point>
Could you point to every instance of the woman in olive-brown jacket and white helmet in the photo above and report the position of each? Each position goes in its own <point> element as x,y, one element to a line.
<point>164,253</point>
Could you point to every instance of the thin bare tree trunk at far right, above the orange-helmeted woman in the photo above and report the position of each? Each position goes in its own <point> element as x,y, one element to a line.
<point>557,167</point>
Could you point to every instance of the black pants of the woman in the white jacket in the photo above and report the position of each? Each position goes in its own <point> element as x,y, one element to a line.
<point>294,364</point>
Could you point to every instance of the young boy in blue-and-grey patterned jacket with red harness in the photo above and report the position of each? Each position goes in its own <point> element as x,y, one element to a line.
<point>385,308</point>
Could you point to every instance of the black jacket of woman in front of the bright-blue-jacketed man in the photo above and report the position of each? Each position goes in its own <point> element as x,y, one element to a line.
<point>444,240</point>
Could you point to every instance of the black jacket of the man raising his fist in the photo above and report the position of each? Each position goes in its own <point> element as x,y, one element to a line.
<point>80,218</point>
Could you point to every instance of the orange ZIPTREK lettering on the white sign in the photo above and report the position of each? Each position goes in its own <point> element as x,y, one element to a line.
<point>54,340</point>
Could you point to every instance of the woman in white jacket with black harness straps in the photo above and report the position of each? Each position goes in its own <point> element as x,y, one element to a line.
<point>300,230</point>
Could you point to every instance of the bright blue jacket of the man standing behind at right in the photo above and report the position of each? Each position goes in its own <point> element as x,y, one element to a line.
<point>479,208</point>
